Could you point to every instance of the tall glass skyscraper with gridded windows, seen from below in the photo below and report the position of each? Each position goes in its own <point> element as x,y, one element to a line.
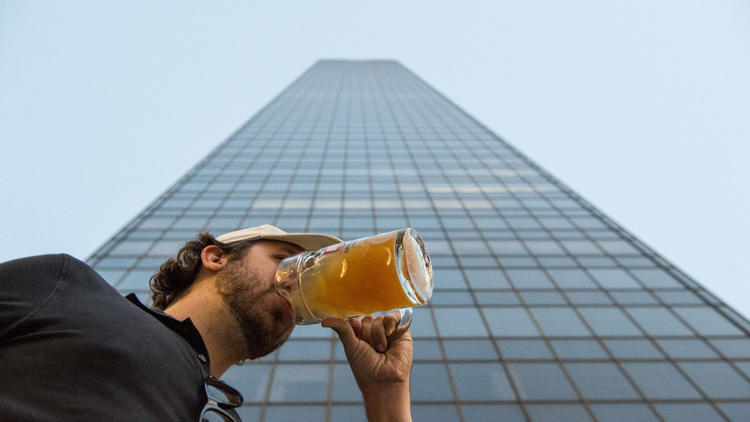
<point>544,308</point>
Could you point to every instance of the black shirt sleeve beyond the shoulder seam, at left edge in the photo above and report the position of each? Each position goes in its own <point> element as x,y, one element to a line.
<point>25,285</point>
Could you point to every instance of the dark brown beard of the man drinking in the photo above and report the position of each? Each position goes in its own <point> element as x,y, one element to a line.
<point>264,330</point>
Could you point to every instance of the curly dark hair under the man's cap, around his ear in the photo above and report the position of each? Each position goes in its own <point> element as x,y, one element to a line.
<point>178,273</point>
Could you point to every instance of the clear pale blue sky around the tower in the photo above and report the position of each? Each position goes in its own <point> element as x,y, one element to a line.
<point>639,106</point>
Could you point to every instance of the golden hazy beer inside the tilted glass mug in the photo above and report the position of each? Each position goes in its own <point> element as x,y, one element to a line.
<point>359,278</point>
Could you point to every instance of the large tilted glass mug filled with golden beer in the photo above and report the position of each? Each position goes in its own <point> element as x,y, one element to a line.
<point>386,272</point>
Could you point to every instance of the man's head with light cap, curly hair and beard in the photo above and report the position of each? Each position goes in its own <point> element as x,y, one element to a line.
<point>242,266</point>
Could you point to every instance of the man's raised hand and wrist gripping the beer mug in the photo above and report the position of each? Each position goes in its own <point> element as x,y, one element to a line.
<point>380,356</point>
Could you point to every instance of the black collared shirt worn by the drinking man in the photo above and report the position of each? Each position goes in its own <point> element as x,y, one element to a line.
<point>72,348</point>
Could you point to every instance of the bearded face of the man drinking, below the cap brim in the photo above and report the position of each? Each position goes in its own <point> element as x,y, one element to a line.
<point>248,288</point>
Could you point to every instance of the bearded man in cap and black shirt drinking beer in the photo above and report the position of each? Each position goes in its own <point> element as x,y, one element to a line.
<point>71,348</point>
